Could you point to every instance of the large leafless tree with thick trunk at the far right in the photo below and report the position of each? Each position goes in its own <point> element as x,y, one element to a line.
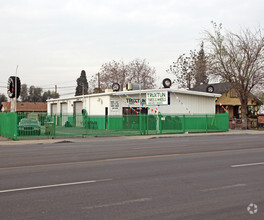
<point>238,59</point>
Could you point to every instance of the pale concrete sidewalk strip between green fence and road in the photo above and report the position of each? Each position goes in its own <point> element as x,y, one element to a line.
<point>6,141</point>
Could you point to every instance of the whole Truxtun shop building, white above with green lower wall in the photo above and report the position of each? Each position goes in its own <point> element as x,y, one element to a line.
<point>169,109</point>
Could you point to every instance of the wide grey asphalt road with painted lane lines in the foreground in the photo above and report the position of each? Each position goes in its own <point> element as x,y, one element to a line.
<point>206,177</point>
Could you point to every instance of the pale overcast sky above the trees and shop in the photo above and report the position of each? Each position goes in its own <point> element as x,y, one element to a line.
<point>53,40</point>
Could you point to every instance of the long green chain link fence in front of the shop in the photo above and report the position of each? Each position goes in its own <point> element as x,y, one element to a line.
<point>18,126</point>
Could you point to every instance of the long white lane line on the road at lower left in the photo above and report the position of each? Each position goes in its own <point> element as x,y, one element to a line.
<point>51,186</point>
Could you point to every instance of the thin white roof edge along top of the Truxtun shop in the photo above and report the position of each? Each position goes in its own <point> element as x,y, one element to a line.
<point>132,92</point>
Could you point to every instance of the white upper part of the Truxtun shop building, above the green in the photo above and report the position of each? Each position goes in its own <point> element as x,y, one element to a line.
<point>151,101</point>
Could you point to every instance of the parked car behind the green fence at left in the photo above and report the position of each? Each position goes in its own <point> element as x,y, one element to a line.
<point>29,126</point>
